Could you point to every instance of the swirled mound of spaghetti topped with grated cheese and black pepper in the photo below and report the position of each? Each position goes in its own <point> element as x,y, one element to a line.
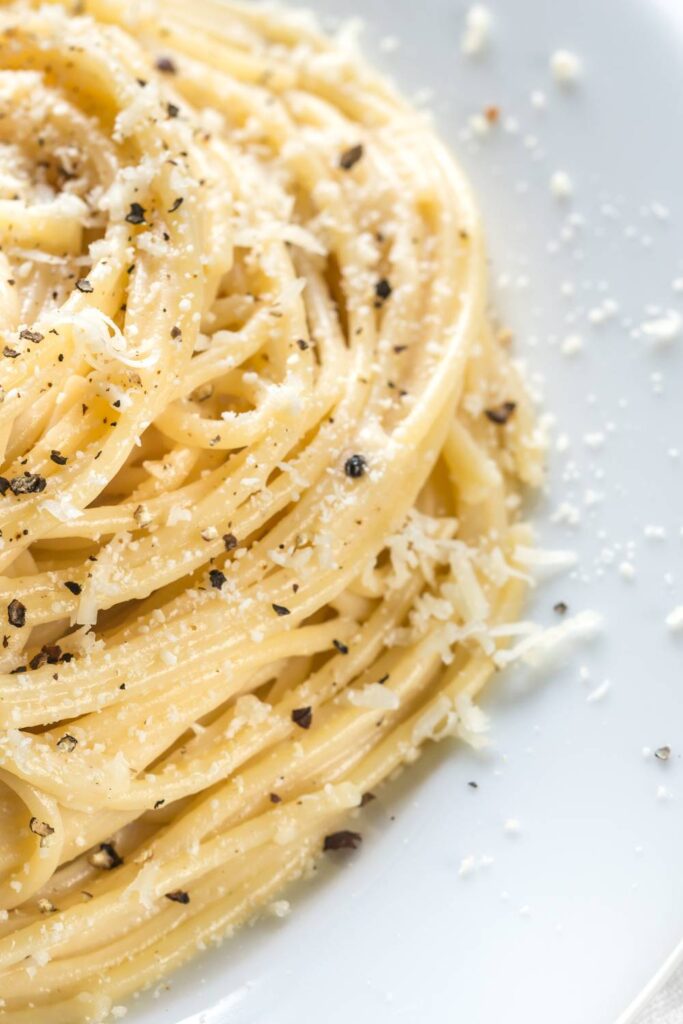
<point>263,454</point>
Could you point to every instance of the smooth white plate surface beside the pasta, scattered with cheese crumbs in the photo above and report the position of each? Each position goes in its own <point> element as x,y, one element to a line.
<point>577,911</point>
